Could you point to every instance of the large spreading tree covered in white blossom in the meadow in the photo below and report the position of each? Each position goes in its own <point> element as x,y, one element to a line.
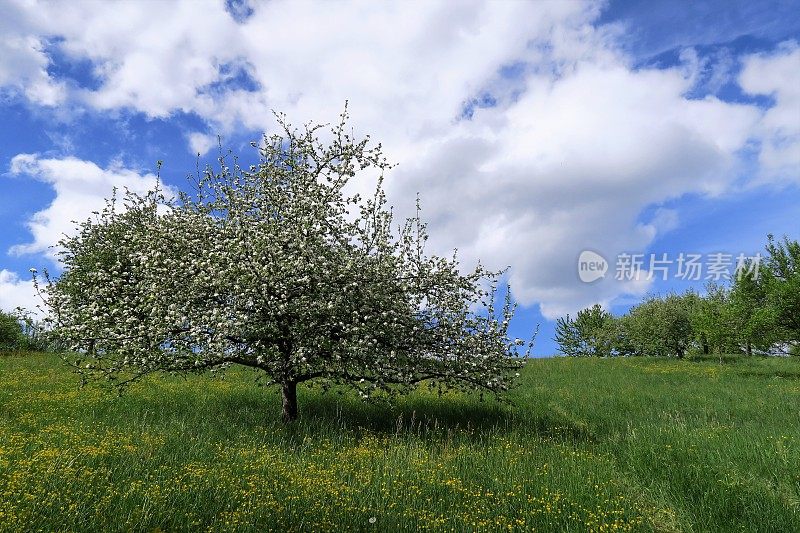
<point>275,267</point>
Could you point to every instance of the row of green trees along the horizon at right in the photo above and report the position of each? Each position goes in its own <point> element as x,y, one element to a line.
<point>757,312</point>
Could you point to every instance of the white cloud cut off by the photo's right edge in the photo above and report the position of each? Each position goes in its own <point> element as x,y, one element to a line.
<point>777,75</point>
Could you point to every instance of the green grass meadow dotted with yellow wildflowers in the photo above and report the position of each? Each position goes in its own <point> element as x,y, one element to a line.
<point>628,444</point>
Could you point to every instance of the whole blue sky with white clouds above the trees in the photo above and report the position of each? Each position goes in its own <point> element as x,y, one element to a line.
<point>532,131</point>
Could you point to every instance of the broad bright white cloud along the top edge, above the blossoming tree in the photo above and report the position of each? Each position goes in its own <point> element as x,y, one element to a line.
<point>305,58</point>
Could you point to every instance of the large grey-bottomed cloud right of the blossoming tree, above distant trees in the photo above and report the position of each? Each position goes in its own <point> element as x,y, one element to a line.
<point>570,166</point>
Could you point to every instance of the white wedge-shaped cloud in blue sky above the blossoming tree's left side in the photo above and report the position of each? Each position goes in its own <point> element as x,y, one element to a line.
<point>80,186</point>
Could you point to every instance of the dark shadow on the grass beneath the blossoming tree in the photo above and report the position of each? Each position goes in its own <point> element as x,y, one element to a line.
<point>421,416</point>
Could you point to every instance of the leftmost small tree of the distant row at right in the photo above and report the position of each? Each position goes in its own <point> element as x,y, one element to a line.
<point>591,333</point>
